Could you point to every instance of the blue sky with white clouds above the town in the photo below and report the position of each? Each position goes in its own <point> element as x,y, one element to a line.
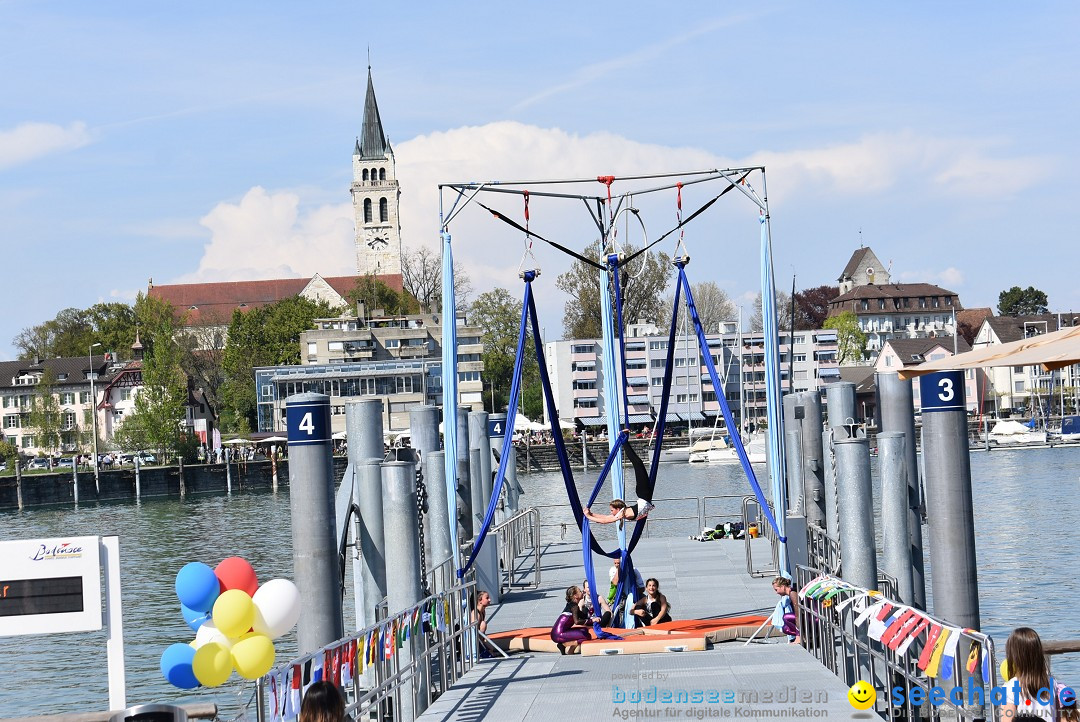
<point>213,141</point>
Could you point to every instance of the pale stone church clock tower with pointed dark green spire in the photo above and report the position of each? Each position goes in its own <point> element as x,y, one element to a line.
<point>375,196</point>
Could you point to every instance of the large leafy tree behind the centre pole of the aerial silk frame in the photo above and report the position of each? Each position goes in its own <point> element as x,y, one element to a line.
<point>643,291</point>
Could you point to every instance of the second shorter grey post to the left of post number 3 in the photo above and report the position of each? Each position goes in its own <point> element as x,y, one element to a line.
<point>856,512</point>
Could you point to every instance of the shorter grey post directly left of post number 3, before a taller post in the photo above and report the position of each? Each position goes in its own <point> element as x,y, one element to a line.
<point>897,550</point>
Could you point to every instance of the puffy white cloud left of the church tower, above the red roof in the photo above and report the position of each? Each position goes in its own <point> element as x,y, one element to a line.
<point>269,236</point>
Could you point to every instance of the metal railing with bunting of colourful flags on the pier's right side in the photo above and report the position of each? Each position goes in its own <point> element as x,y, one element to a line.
<point>922,669</point>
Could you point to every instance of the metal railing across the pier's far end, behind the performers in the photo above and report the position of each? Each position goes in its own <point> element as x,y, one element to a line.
<point>671,514</point>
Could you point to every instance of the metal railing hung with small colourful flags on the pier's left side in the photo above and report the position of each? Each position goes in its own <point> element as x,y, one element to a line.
<point>399,665</point>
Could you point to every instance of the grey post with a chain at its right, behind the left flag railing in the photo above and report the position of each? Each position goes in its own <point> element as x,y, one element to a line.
<point>404,588</point>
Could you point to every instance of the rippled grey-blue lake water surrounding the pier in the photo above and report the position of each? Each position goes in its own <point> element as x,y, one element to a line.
<point>1027,517</point>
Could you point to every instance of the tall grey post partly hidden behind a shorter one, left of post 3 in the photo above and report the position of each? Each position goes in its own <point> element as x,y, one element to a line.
<point>897,411</point>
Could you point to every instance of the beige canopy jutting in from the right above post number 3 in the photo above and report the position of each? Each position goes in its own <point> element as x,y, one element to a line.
<point>1050,351</point>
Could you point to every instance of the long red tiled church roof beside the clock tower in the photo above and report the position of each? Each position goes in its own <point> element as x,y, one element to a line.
<point>213,304</point>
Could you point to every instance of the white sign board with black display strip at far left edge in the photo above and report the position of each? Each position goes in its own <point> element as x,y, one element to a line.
<point>50,585</point>
